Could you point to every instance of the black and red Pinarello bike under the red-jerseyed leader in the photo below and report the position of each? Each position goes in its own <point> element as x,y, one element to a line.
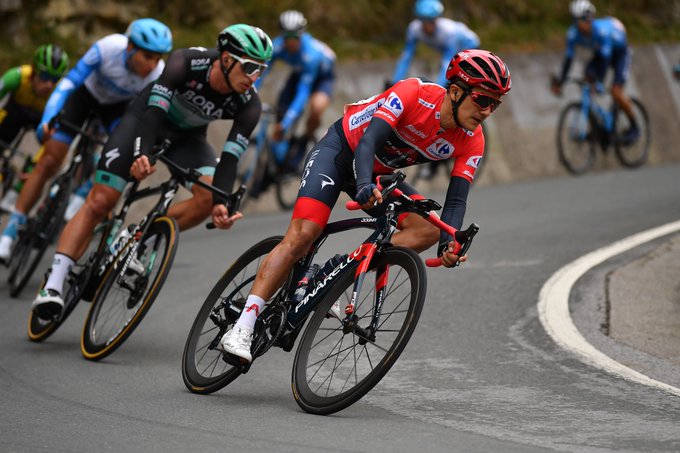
<point>360,310</point>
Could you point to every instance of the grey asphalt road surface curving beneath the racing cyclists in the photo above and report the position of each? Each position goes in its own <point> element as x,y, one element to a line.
<point>480,373</point>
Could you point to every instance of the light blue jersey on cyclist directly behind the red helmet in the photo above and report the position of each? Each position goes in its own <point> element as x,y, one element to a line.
<point>449,38</point>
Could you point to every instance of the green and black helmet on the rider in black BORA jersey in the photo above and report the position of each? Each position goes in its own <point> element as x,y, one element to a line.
<point>245,40</point>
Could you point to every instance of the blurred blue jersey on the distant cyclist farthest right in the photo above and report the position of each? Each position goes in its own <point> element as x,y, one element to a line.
<point>608,35</point>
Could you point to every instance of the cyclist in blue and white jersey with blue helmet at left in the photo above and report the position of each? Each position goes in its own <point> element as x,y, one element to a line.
<point>103,82</point>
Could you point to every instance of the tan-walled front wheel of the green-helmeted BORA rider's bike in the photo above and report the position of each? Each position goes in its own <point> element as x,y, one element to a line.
<point>121,302</point>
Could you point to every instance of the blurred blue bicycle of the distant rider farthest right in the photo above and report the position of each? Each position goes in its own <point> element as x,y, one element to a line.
<point>588,124</point>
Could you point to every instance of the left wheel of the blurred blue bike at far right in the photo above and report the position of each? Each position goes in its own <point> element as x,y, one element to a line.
<point>576,149</point>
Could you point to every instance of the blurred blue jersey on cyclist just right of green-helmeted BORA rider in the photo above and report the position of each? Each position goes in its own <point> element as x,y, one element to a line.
<point>314,59</point>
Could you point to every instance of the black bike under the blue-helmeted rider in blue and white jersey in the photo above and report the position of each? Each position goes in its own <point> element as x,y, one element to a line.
<point>43,228</point>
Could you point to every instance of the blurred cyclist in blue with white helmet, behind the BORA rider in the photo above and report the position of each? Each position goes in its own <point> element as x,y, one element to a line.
<point>310,82</point>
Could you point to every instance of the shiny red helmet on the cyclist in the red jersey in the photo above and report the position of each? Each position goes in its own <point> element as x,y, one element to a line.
<point>476,67</point>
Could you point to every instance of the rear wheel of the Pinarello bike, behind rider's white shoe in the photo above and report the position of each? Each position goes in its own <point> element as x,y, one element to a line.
<point>203,369</point>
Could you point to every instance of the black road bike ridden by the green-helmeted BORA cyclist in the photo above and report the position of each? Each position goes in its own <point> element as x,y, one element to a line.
<point>126,266</point>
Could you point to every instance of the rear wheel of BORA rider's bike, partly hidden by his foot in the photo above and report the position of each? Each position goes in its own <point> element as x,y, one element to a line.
<point>40,329</point>
